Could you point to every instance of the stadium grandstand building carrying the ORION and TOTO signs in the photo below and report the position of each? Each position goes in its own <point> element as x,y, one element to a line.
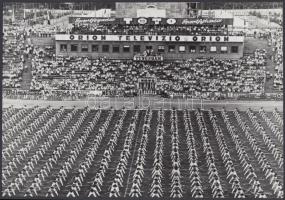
<point>172,45</point>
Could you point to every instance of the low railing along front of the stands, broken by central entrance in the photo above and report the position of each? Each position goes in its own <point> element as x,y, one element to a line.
<point>72,95</point>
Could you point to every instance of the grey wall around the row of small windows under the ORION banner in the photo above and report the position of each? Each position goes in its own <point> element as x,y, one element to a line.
<point>143,45</point>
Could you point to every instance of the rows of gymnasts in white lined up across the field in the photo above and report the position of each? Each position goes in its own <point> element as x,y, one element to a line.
<point>30,171</point>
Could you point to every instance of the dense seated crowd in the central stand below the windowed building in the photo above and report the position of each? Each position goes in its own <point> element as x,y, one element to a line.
<point>121,78</point>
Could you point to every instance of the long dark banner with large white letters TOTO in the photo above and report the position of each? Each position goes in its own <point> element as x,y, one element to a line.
<point>150,21</point>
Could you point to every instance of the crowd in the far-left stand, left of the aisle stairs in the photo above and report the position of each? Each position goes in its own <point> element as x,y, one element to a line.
<point>17,50</point>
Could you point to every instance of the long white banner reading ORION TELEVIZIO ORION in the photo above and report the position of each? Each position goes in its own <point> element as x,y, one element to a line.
<point>149,38</point>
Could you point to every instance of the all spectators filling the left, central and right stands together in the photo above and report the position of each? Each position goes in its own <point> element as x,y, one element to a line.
<point>216,77</point>
